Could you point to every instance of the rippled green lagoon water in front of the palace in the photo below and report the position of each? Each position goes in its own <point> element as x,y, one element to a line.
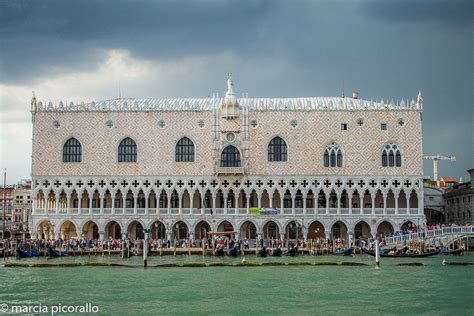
<point>431,289</point>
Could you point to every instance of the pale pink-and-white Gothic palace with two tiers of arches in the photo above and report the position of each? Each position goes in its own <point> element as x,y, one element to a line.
<point>332,167</point>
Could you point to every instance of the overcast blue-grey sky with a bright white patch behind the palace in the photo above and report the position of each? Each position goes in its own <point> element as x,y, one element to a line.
<point>83,50</point>
